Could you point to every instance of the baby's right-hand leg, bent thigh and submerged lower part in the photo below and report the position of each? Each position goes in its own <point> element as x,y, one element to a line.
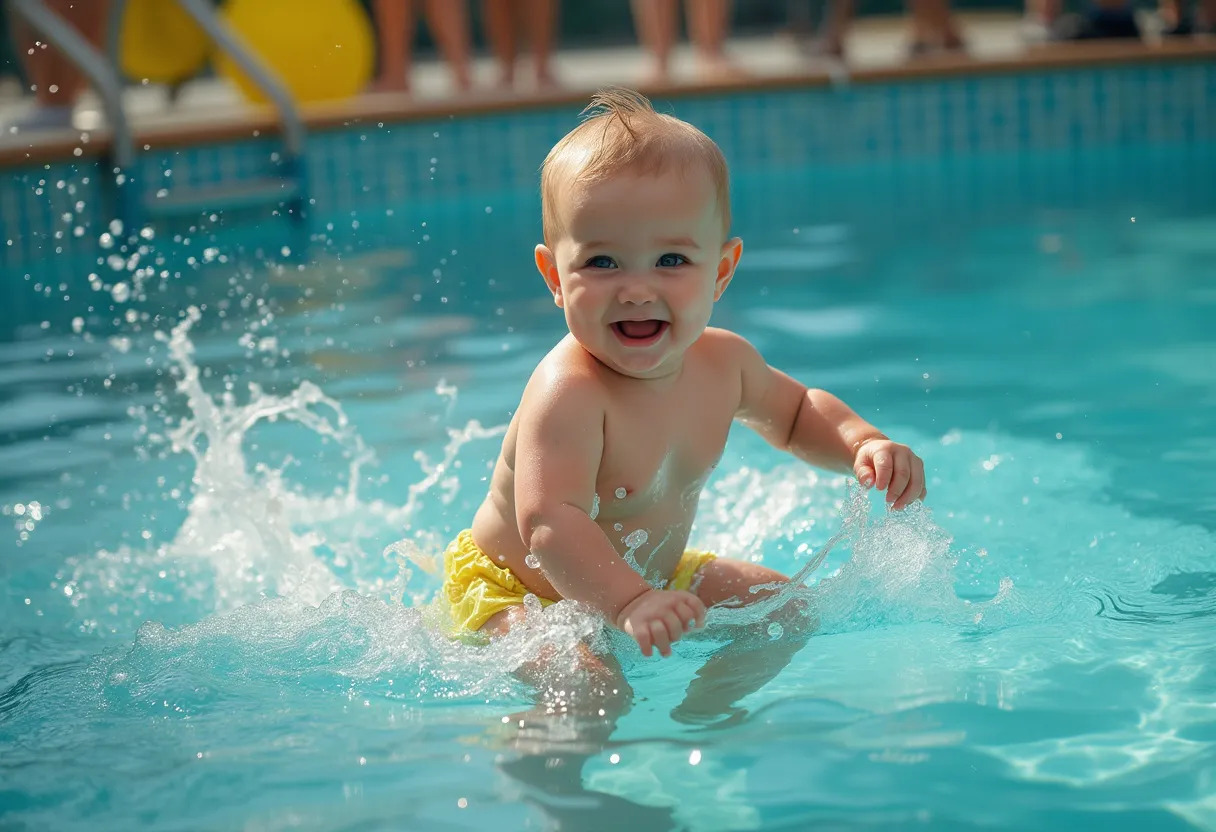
<point>753,657</point>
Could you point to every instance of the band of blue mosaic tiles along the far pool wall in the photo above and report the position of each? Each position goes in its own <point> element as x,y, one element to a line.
<point>373,167</point>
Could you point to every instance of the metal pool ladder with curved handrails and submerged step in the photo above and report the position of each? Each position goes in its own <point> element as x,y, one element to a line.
<point>285,184</point>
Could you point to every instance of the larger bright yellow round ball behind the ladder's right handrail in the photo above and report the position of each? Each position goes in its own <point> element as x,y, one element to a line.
<point>320,49</point>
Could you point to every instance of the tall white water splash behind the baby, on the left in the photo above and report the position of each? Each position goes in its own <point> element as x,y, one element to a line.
<point>250,533</point>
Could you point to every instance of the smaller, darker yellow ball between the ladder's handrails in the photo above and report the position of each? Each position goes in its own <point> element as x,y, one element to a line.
<point>159,41</point>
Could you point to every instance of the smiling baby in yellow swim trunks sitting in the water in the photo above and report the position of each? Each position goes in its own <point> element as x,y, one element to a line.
<point>624,420</point>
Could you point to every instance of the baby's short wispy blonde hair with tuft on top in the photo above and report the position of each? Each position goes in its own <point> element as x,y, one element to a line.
<point>622,132</point>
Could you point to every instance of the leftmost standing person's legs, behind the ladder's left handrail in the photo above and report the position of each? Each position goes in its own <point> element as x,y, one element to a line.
<point>55,80</point>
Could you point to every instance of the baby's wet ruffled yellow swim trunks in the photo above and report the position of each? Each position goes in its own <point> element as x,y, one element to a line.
<point>477,589</point>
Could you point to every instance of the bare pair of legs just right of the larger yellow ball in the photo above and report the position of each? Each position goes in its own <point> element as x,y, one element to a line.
<point>448,21</point>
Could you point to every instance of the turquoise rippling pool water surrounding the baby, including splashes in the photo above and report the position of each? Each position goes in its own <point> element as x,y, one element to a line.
<point>215,599</point>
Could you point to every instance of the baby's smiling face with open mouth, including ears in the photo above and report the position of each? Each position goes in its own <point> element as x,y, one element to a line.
<point>639,267</point>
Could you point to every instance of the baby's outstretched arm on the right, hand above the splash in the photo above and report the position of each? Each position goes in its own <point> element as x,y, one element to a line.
<point>823,430</point>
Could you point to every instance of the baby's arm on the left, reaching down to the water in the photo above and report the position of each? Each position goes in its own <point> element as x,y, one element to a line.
<point>559,448</point>
